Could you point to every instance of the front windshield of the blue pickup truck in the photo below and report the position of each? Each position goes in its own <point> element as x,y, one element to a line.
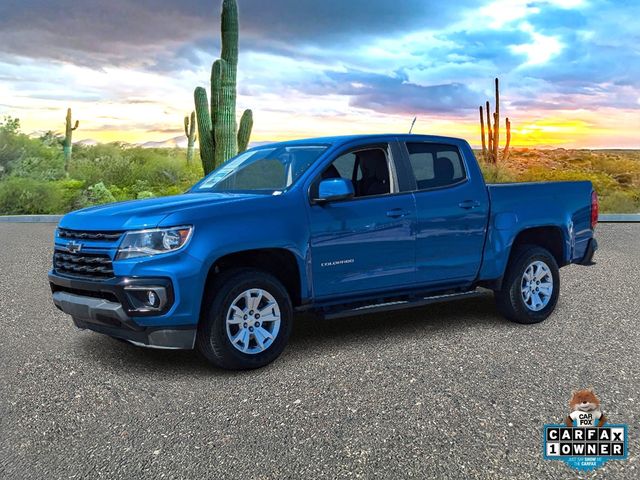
<point>263,169</point>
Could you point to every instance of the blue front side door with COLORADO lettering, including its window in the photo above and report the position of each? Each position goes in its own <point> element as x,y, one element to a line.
<point>366,243</point>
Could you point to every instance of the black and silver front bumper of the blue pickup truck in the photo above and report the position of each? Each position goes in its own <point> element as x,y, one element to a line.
<point>111,307</point>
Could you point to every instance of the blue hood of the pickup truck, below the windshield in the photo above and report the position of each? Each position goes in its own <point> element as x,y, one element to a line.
<point>148,213</point>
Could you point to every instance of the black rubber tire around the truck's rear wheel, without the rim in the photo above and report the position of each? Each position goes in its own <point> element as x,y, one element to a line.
<point>509,300</point>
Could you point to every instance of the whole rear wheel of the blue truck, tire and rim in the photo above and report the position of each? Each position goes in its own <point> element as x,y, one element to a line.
<point>531,286</point>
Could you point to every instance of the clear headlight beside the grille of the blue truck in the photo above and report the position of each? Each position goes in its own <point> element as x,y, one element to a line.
<point>143,243</point>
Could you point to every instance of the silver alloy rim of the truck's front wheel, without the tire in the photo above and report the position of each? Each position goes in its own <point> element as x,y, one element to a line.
<point>253,321</point>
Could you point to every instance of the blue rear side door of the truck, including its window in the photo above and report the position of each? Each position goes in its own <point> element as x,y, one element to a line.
<point>451,214</point>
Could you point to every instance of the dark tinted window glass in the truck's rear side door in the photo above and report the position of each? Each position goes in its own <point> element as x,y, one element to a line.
<point>435,165</point>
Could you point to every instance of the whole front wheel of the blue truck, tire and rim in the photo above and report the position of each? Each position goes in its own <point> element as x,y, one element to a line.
<point>247,321</point>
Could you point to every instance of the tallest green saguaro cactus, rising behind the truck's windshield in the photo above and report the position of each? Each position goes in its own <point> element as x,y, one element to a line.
<point>220,139</point>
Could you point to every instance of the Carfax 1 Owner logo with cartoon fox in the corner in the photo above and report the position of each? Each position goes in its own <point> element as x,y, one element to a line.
<point>587,439</point>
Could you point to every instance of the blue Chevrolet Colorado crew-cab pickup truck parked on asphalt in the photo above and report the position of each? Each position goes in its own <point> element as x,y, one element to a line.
<point>339,226</point>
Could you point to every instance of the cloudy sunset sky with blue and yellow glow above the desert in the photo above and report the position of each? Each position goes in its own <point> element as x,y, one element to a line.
<point>570,69</point>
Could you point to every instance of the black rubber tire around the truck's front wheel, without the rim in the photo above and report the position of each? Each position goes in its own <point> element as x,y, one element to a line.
<point>212,341</point>
